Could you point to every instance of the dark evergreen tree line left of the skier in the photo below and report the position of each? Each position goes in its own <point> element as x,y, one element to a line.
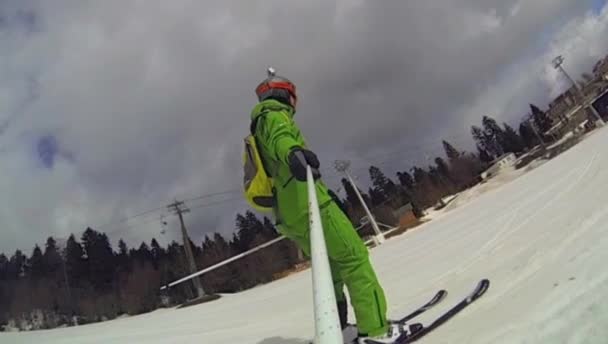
<point>89,281</point>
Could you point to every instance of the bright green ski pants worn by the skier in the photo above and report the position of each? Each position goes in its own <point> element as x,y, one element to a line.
<point>350,266</point>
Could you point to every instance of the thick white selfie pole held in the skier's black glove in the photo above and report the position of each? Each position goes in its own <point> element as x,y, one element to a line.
<point>327,321</point>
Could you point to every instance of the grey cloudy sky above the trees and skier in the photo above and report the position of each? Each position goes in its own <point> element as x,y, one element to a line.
<point>112,108</point>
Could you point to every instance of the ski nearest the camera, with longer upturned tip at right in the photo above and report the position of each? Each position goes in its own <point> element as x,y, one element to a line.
<point>418,331</point>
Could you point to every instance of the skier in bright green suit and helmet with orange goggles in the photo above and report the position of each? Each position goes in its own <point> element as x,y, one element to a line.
<point>284,154</point>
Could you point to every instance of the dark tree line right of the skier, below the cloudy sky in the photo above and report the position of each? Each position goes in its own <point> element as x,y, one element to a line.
<point>427,186</point>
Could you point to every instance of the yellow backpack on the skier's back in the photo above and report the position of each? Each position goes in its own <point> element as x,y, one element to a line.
<point>259,191</point>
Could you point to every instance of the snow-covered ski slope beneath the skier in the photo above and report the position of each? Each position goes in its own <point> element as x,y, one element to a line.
<point>542,239</point>
